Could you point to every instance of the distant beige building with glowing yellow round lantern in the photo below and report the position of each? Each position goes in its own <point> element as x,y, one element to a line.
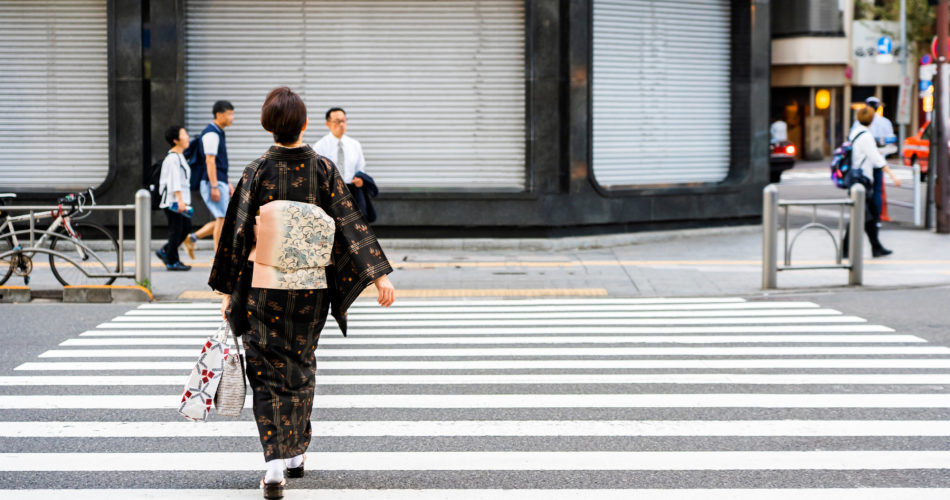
<point>825,64</point>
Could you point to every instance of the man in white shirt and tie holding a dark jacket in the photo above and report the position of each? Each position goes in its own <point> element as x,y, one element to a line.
<point>347,154</point>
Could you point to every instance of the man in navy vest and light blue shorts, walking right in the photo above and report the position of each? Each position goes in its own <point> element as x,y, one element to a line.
<point>209,159</point>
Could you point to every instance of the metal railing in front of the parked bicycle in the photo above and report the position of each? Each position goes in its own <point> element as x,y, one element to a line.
<point>143,235</point>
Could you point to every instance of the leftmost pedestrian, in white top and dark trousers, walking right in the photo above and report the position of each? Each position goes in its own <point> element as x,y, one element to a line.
<point>174,185</point>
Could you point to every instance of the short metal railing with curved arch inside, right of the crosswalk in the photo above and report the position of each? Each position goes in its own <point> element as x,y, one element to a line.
<point>770,209</point>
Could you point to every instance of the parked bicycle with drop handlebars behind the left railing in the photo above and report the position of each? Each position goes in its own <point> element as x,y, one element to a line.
<point>67,243</point>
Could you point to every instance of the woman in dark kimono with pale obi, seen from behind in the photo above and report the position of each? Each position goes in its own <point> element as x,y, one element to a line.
<point>315,255</point>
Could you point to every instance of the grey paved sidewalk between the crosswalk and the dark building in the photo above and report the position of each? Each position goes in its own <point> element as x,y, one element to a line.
<point>704,262</point>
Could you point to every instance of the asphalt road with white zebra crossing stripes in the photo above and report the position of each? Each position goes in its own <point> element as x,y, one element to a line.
<point>32,331</point>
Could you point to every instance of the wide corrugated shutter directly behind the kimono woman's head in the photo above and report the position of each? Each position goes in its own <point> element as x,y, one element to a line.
<point>433,89</point>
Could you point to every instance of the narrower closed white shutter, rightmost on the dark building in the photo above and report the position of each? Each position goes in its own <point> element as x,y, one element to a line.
<point>661,78</point>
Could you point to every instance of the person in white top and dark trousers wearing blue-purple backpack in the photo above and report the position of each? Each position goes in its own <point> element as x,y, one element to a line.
<point>865,156</point>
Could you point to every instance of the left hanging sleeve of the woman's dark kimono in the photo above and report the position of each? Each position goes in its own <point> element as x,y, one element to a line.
<point>237,235</point>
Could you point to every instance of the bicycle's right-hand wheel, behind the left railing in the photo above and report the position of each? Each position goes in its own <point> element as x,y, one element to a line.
<point>103,259</point>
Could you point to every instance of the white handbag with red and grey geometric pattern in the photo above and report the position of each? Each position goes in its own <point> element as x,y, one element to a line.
<point>203,382</point>
